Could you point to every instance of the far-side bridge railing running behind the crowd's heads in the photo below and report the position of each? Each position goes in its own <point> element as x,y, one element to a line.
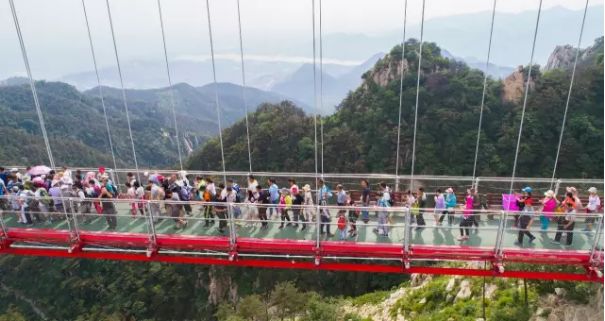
<point>351,181</point>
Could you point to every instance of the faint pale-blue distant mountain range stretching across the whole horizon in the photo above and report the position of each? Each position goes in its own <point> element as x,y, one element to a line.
<point>268,57</point>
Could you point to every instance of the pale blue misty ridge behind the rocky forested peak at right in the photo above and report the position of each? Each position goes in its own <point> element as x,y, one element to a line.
<point>467,35</point>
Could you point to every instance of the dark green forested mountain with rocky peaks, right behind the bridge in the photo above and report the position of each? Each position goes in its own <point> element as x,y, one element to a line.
<point>362,135</point>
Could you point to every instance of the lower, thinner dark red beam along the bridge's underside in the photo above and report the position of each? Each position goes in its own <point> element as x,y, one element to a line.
<point>293,264</point>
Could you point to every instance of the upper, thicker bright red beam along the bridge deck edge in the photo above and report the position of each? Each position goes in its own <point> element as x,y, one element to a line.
<point>301,247</point>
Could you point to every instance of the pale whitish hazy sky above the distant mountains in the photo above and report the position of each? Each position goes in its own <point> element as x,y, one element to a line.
<point>56,28</point>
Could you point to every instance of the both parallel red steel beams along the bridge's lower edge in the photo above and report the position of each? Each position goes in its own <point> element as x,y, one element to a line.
<point>296,254</point>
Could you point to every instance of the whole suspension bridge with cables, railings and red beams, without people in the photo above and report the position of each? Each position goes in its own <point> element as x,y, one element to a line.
<point>237,240</point>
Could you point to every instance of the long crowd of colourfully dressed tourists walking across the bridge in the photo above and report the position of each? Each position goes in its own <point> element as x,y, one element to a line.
<point>41,195</point>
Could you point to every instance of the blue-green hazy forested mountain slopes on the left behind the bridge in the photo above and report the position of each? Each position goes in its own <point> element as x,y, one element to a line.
<point>78,136</point>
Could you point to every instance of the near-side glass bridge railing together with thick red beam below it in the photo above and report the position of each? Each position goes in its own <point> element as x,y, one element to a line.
<point>383,232</point>
